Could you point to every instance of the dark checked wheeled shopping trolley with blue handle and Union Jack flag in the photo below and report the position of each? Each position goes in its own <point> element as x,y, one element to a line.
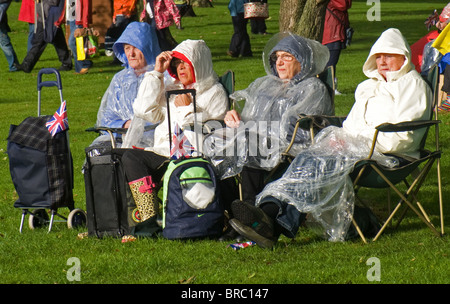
<point>41,167</point>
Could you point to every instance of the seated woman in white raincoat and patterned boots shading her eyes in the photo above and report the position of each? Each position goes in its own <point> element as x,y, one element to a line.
<point>190,63</point>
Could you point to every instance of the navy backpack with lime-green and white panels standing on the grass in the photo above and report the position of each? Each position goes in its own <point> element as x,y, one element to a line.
<point>191,206</point>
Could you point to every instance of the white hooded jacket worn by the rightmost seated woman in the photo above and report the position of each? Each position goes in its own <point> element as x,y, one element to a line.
<point>403,96</point>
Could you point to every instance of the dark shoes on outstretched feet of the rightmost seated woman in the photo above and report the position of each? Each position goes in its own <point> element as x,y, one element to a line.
<point>252,223</point>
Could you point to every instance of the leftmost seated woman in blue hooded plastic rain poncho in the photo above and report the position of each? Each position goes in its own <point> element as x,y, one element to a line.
<point>137,49</point>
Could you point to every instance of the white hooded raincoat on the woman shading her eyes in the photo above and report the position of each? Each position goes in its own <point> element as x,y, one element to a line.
<point>211,98</point>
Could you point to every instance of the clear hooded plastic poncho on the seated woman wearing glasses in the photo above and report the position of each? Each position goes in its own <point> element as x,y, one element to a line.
<point>272,106</point>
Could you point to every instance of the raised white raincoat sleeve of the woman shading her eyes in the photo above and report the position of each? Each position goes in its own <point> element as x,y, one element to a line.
<point>149,101</point>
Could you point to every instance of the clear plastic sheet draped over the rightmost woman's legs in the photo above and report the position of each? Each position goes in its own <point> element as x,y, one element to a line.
<point>317,181</point>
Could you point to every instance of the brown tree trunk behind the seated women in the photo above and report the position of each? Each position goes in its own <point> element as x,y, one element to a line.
<point>303,17</point>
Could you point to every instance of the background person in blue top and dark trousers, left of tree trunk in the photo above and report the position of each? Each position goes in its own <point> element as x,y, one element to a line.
<point>240,41</point>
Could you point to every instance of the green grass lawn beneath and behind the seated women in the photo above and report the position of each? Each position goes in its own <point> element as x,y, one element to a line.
<point>411,254</point>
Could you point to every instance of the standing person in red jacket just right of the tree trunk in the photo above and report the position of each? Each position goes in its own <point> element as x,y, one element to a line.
<point>336,23</point>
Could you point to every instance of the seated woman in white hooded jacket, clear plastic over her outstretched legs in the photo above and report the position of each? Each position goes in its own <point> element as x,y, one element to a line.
<point>317,180</point>
